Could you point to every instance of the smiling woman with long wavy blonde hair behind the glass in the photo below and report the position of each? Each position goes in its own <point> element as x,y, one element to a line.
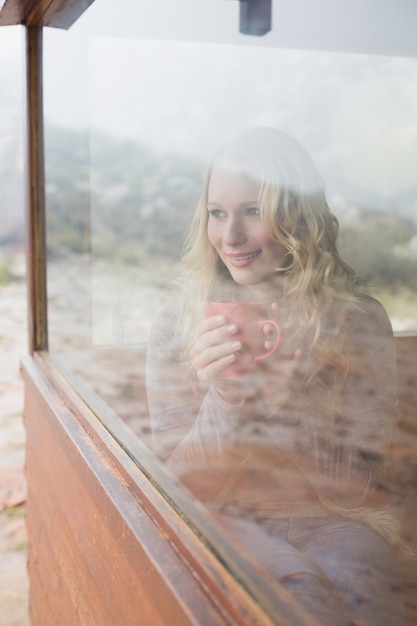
<point>287,457</point>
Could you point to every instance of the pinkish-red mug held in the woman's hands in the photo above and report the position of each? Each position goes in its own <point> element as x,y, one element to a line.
<point>249,318</point>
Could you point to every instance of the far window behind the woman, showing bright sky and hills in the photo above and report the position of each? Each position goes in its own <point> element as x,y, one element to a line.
<point>171,103</point>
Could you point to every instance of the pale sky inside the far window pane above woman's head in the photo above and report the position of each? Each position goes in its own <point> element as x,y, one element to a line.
<point>358,111</point>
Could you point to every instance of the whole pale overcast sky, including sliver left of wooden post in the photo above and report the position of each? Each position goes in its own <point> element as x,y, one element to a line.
<point>356,113</point>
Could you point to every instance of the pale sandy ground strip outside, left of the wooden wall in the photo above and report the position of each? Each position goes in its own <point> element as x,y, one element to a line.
<point>13,344</point>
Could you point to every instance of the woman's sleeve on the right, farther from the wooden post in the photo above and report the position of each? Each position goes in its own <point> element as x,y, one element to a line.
<point>343,457</point>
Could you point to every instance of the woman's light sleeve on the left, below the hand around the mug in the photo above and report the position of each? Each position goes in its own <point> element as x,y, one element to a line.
<point>184,418</point>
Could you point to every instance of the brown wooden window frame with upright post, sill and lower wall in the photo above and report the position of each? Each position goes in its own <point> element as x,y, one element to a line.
<point>109,541</point>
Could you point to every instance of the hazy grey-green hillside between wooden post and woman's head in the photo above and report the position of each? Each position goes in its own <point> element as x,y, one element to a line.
<point>117,197</point>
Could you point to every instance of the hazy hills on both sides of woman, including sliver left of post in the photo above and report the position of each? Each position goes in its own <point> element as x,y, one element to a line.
<point>124,201</point>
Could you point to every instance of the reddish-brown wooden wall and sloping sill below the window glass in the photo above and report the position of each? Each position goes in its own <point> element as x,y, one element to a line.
<point>105,546</point>
